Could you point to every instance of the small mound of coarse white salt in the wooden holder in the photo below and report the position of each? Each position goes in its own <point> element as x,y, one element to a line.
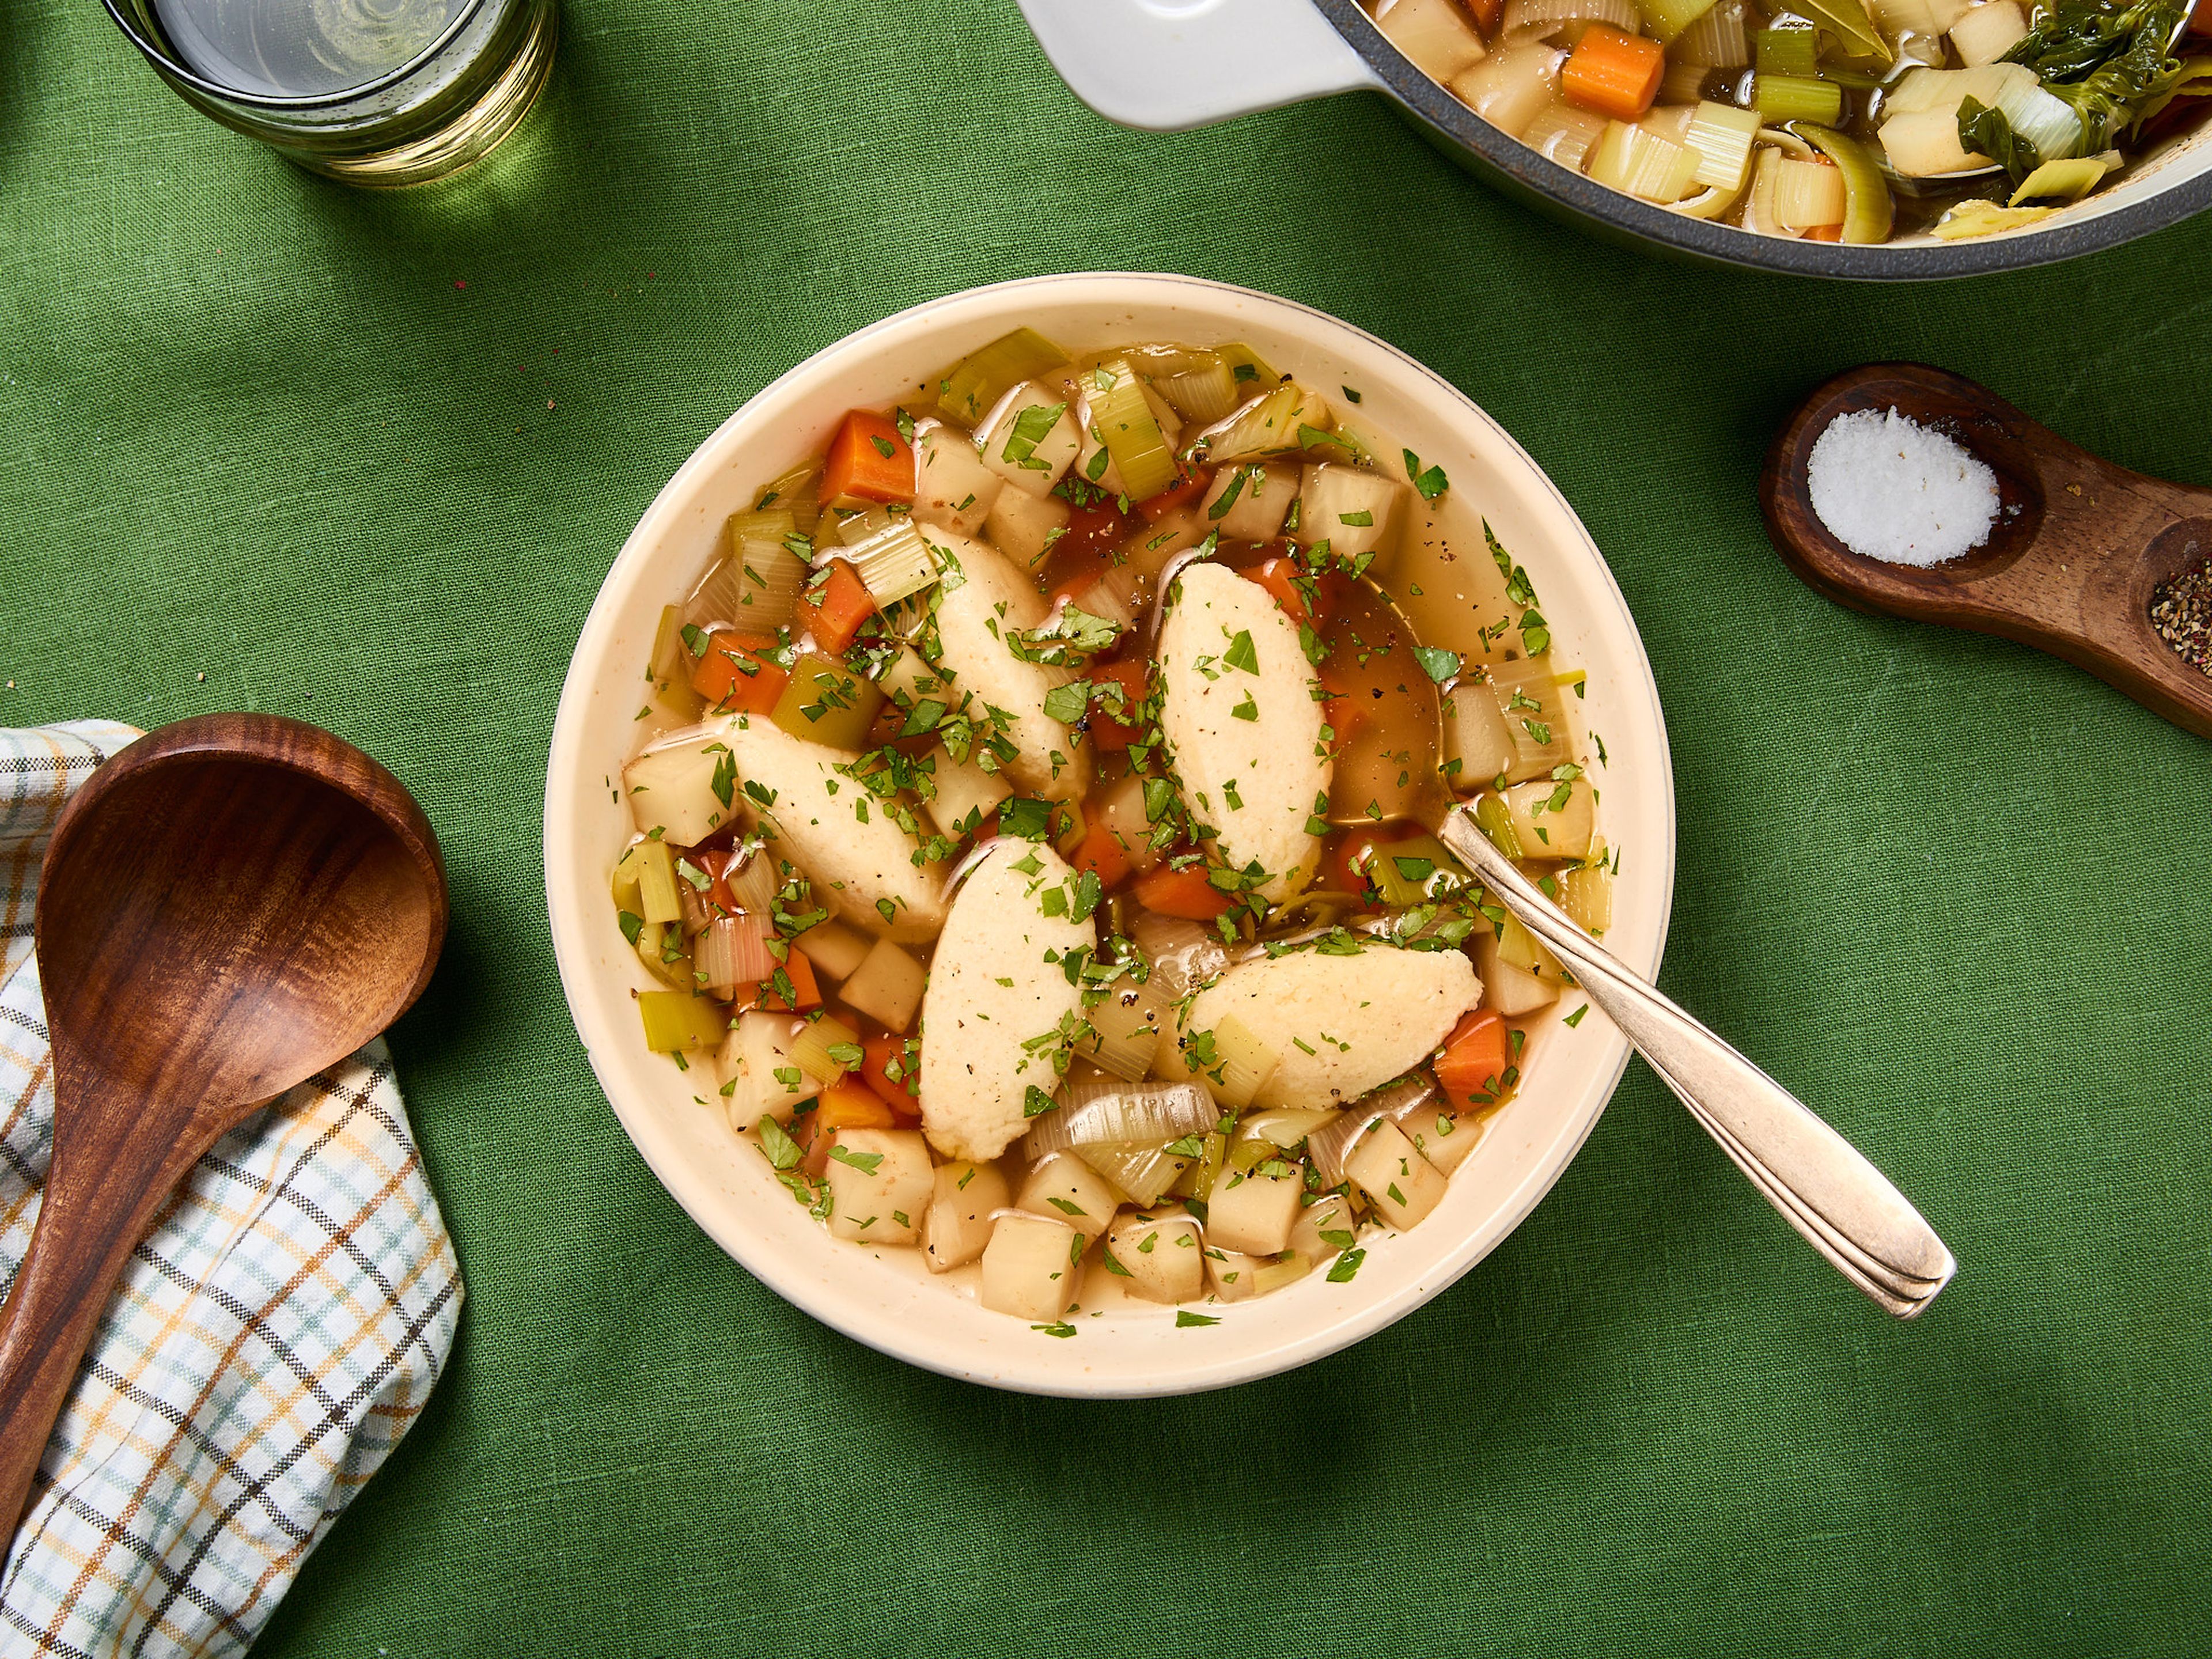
<point>1899,492</point>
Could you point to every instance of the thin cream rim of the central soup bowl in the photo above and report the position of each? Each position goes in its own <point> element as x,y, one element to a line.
<point>700,1200</point>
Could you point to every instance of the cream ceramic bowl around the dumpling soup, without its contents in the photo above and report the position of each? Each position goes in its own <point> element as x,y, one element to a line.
<point>888,1300</point>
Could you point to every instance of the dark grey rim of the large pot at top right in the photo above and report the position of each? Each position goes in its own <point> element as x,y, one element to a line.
<point>1884,262</point>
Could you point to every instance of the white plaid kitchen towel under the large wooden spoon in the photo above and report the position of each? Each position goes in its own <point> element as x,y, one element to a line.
<point>269,1346</point>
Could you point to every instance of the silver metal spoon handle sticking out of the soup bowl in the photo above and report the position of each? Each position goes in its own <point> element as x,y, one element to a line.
<point>1817,1180</point>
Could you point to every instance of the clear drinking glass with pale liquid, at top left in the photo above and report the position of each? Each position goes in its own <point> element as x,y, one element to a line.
<point>366,92</point>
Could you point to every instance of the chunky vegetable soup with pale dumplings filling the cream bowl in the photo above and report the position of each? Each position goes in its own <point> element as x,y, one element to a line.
<point>1036,828</point>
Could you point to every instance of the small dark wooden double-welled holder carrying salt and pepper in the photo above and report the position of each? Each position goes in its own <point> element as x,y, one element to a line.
<point>2069,567</point>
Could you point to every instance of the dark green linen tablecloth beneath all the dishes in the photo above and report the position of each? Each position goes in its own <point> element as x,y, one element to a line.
<point>271,444</point>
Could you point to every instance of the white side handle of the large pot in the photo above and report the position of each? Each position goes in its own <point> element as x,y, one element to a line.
<point>1171,65</point>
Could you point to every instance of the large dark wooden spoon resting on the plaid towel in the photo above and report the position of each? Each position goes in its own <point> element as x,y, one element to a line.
<point>227,908</point>
